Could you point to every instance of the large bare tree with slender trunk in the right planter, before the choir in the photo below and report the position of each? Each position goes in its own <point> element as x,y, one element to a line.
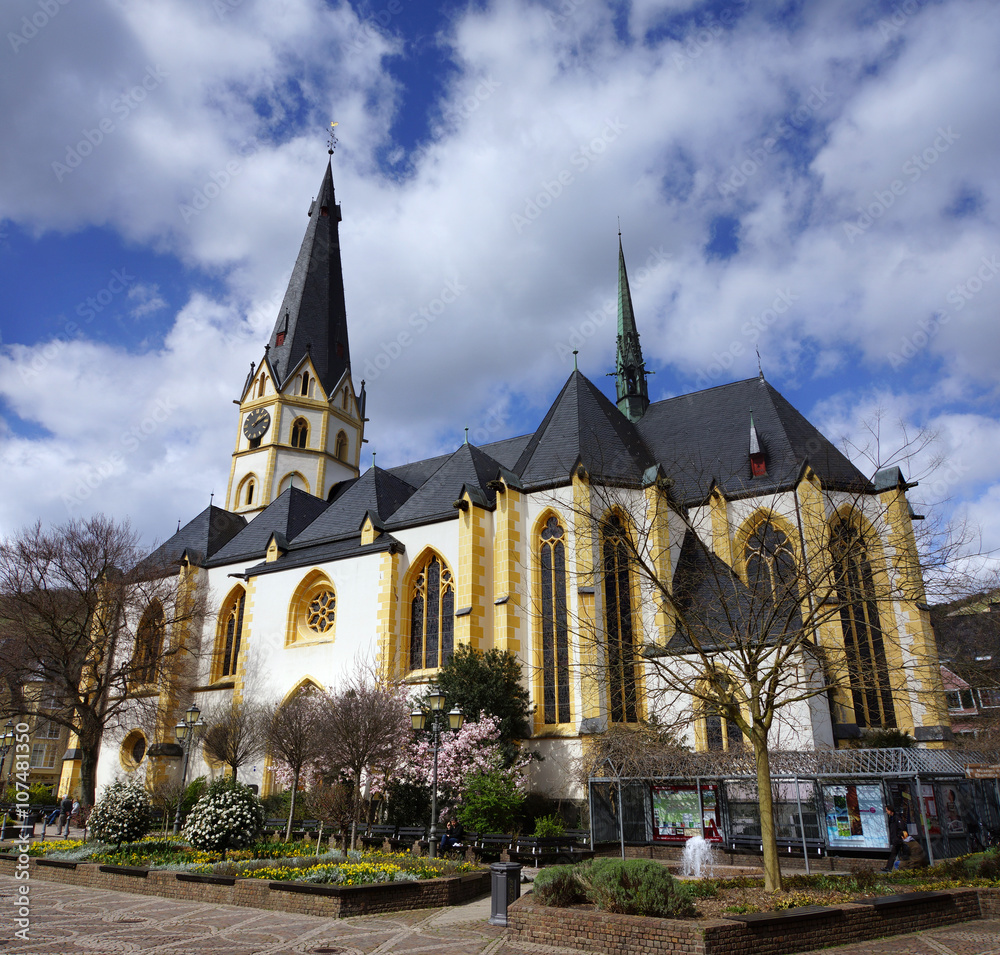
<point>737,634</point>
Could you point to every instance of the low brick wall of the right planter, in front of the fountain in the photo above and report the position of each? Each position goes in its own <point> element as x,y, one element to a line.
<point>608,934</point>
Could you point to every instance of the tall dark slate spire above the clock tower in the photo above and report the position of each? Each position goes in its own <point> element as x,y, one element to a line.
<point>313,317</point>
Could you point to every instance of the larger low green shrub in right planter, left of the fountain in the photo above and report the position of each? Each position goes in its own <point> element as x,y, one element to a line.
<point>635,887</point>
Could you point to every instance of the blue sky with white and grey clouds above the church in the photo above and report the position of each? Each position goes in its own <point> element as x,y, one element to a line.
<point>816,181</point>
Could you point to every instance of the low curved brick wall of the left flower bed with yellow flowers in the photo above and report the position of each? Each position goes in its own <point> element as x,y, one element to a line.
<point>327,900</point>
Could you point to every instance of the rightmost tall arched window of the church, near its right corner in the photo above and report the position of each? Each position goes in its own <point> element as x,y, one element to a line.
<point>864,644</point>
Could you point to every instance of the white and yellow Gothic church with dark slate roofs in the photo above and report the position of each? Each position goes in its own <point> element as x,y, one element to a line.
<point>315,563</point>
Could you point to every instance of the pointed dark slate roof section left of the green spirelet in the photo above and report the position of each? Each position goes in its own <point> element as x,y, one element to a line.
<point>583,426</point>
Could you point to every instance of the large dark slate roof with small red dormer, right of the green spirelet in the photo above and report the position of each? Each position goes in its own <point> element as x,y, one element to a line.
<point>702,438</point>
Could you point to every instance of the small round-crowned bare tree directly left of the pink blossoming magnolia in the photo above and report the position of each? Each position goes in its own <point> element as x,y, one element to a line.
<point>367,727</point>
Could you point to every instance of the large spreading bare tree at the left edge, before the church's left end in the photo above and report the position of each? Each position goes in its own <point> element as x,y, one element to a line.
<point>85,612</point>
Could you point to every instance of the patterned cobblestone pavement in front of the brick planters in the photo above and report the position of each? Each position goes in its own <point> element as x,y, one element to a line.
<point>66,920</point>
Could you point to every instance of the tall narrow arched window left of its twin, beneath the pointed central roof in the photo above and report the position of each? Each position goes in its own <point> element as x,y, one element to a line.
<point>555,631</point>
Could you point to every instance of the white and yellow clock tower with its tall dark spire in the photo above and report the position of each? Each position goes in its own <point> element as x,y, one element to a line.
<point>301,422</point>
